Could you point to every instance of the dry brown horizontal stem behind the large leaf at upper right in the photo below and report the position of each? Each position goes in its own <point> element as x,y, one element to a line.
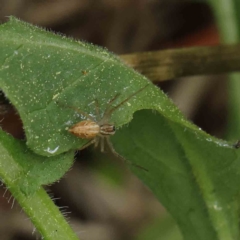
<point>173,63</point>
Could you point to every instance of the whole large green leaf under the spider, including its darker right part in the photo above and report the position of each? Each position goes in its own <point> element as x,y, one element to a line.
<point>194,175</point>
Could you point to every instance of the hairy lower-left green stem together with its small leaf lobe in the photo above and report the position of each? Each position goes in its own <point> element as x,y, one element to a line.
<point>18,171</point>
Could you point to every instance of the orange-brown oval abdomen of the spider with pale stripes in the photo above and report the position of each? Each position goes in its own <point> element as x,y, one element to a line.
<point>85,129</point>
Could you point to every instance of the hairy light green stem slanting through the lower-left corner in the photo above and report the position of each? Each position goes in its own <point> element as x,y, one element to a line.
<point>46,217</point>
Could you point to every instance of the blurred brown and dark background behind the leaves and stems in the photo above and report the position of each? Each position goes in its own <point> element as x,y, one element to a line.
<point>101,199</point>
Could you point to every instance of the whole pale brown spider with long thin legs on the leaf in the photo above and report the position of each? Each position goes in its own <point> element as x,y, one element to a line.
<point>100,129</point>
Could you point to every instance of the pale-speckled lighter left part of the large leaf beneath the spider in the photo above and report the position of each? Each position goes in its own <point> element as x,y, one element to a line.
<point>42,72</point>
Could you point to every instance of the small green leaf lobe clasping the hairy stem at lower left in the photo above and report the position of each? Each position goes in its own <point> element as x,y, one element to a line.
<point>28,170</point>
